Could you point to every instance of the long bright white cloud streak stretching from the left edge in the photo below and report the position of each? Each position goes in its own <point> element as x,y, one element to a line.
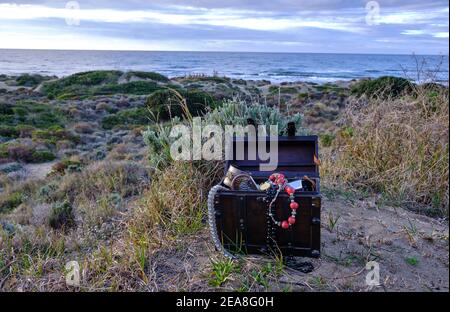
<point>253,20</point>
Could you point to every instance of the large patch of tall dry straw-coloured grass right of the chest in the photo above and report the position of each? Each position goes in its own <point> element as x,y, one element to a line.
<point>397,147</point>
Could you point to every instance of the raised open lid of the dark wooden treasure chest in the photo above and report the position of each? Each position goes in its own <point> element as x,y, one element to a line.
<point>296,156</point>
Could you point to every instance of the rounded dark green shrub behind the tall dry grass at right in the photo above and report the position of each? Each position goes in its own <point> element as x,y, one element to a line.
<point>383,87</point>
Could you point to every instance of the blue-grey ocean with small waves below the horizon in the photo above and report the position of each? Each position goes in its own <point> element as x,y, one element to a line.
<point>276,67</point>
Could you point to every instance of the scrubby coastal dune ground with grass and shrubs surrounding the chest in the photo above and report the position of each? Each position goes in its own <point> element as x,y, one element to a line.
<point>85,175</point>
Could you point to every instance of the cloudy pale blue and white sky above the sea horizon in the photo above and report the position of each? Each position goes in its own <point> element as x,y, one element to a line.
<point>319,26</point>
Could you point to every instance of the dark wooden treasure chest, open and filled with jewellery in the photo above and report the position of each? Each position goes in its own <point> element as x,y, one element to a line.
<point>242,219</point>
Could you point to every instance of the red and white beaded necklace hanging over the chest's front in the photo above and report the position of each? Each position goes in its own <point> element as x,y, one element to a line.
<point>278,180</point>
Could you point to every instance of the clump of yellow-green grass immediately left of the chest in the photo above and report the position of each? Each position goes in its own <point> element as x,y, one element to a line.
<point>175,201</point>
